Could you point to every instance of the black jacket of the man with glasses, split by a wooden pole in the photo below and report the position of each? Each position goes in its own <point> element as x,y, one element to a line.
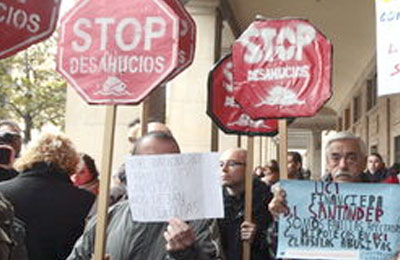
<point>234,216</point>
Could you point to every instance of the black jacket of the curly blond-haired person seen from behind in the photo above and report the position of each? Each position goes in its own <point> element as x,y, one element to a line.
<point>53,210</point>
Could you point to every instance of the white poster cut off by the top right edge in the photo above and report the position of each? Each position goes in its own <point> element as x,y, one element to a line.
<point>388,46</point>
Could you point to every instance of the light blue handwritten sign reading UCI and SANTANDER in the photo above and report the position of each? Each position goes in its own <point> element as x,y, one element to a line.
<point>340,221</point>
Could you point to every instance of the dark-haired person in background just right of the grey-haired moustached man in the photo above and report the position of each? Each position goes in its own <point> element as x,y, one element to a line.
<point>376,171</point>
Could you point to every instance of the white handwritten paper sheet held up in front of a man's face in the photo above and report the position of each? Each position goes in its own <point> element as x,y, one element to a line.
<point>186,186</point>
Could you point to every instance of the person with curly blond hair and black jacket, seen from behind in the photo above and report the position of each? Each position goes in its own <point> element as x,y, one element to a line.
<point>44,198</point>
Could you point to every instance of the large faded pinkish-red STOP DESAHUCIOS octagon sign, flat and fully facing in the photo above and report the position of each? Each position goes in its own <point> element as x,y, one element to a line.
<point>117,52</point>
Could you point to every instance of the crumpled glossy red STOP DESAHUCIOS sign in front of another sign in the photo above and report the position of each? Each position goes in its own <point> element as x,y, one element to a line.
<point>282,68</point>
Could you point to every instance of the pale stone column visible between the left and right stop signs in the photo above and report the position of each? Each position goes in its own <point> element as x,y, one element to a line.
<point>187,93</point>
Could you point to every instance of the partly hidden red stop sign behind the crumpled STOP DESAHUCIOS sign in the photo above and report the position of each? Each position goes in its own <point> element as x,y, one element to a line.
<point>224,110</point>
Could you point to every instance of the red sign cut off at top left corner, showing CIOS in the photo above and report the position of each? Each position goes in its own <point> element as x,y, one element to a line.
<point>25,22</point>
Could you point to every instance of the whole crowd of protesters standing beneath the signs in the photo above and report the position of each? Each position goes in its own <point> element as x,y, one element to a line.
<point>48,200</point>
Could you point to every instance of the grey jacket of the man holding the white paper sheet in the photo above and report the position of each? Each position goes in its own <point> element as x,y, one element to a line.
<point>132,240</point>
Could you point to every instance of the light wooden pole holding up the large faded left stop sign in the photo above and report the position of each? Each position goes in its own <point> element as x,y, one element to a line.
<point>108,145</point>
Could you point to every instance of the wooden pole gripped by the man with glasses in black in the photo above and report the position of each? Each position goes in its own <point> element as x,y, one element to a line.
<point>248,199</point>
